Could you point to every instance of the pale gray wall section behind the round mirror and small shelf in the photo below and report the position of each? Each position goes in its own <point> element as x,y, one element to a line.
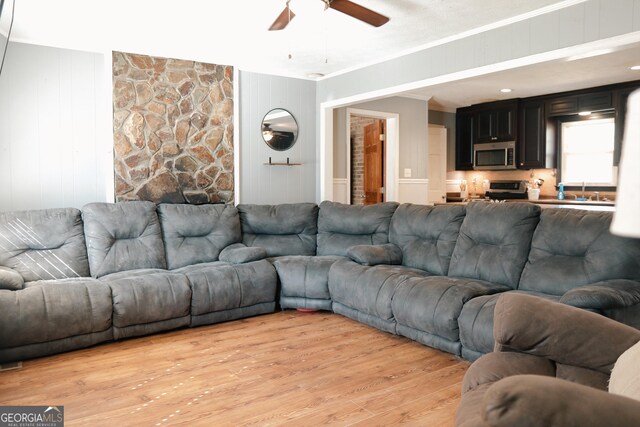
<point>263,184</point>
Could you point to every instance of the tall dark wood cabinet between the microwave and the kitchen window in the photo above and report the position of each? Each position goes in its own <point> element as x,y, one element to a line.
<point>532,141</point>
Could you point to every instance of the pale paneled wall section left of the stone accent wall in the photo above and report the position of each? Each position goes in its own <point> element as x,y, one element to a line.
<point>55,141</point>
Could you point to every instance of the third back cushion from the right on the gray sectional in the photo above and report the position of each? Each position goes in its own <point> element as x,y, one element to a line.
<point>427,235</point>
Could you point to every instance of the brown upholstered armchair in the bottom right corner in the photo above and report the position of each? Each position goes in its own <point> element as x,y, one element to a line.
<point>551,367</point>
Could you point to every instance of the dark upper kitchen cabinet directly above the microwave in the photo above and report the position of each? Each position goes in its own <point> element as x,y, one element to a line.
<point>497,121</point>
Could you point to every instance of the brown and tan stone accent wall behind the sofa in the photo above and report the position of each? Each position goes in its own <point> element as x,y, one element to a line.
<point>172,130</point>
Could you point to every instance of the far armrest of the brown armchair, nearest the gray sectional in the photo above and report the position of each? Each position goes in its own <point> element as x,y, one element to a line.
<point>559,332</point>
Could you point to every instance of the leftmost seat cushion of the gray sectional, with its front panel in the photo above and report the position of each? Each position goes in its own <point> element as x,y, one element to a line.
<point>48,310</point>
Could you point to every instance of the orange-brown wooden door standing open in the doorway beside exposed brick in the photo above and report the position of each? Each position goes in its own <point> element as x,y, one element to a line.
<point>374,163</point>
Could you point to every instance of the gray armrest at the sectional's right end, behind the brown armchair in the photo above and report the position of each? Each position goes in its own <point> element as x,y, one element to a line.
<point>610,294</point>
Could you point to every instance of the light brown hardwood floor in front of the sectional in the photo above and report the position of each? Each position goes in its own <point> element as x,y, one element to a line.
<point>286,368</point>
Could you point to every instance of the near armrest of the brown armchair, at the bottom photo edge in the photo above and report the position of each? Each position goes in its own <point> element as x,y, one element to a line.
<point>535,400</point>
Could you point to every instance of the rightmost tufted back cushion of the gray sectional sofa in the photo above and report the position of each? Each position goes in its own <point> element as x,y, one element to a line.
<point>573,247</point>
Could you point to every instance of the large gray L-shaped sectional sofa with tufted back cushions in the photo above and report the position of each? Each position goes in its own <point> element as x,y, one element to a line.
<point>73,278</point>
